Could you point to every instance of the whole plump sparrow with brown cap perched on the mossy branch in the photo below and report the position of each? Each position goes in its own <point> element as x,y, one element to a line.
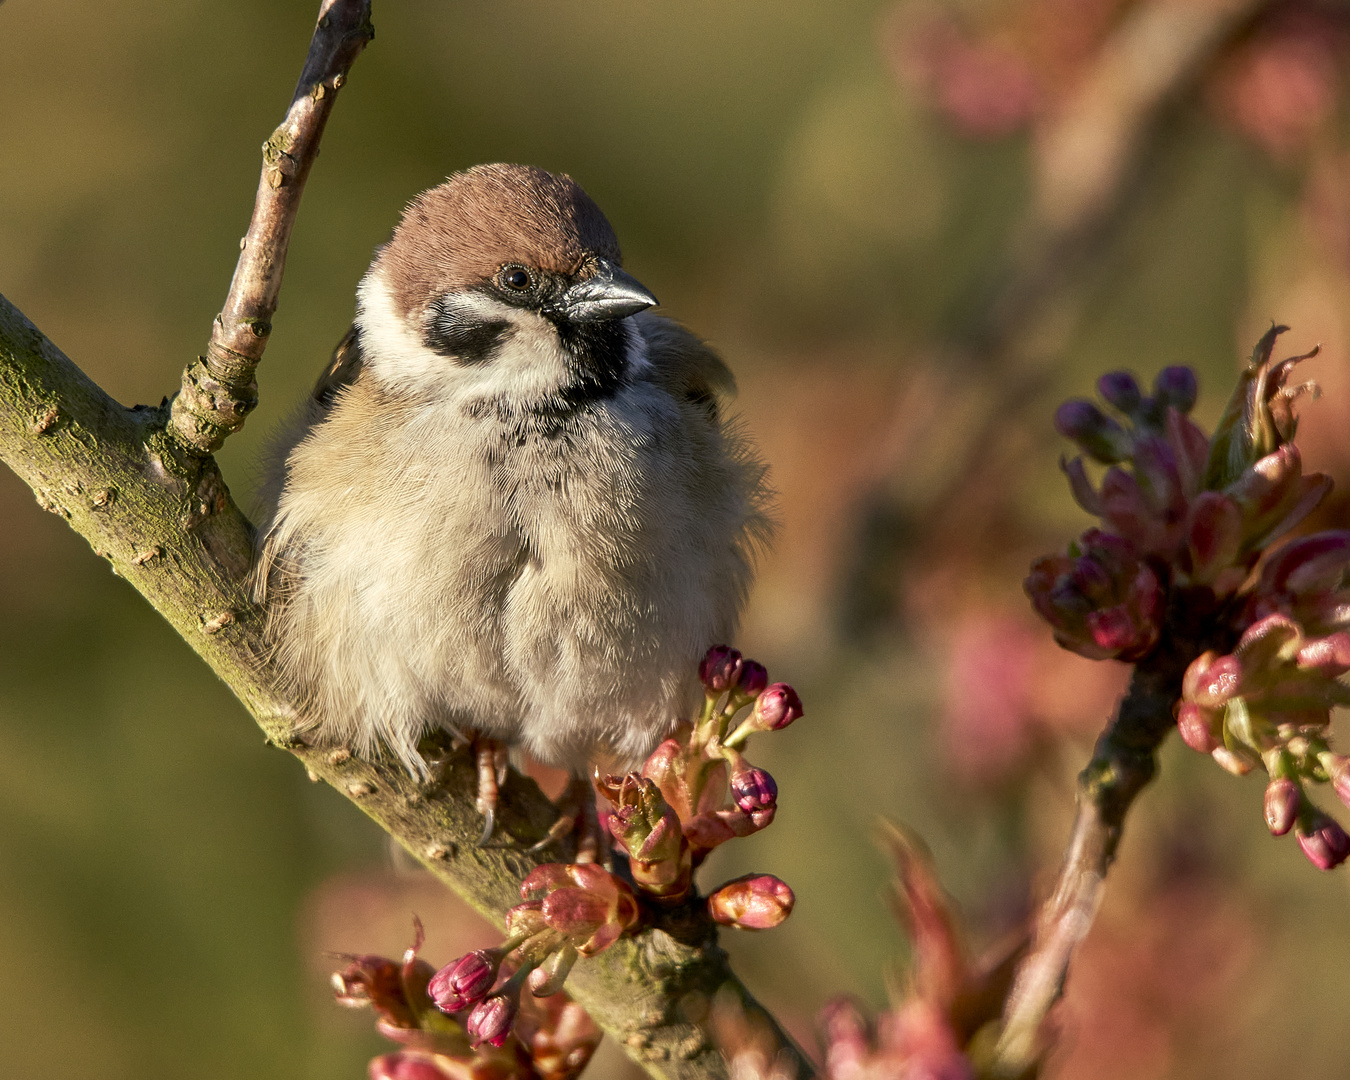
<point>512,508</point>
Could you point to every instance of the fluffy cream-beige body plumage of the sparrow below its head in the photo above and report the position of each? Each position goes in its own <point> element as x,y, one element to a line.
<point>427,565</point>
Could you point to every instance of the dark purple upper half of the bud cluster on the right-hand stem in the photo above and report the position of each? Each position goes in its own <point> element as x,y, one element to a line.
<point>1178,508</point>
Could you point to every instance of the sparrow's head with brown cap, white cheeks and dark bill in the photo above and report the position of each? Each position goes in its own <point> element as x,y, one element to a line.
<point>503,287</point>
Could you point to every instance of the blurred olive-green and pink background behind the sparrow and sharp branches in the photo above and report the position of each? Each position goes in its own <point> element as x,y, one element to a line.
<point>912,230</point>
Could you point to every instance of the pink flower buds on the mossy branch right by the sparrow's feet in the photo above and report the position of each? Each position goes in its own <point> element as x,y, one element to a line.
<point>695,793</point>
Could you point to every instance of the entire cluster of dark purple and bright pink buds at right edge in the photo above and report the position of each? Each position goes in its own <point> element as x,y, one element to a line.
<point>1186,520</point>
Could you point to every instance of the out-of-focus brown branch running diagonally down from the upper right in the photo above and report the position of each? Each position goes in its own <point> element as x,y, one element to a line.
<point>1089,159</point>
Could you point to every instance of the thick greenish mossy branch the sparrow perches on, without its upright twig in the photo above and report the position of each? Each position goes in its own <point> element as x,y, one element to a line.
<point>165,520</point>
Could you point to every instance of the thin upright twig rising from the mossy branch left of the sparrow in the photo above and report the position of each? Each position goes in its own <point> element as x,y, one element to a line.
<point>219,389</point>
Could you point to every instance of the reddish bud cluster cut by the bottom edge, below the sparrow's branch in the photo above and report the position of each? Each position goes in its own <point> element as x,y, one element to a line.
<point>553,1042</point>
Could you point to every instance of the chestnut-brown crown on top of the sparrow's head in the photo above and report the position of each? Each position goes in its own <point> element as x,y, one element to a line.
<point>461,233</point>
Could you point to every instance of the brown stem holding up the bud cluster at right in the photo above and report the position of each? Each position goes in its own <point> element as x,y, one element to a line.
<point>1123,765</point>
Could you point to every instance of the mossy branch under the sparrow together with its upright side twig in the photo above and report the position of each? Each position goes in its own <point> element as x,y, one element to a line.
<point>142,488</point>
